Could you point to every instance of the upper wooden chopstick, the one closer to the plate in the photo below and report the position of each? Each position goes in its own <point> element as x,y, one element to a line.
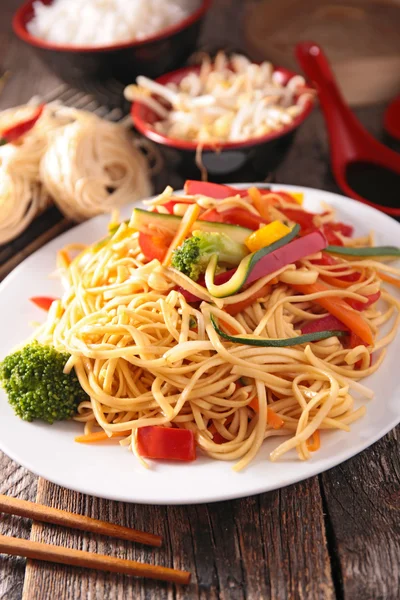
<point>47,514</point>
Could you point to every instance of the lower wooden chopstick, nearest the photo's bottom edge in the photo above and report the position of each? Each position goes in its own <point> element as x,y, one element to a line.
<point>79,558</point>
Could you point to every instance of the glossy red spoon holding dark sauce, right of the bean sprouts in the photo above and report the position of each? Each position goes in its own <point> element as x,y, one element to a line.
<point>363,168</point>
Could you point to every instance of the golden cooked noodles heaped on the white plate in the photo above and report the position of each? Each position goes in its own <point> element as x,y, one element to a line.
<point>145,356</point>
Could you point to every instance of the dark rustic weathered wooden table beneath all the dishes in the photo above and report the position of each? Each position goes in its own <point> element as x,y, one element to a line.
<point>332,536</point>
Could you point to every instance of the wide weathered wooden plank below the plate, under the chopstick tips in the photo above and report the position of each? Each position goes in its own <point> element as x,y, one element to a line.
<point>269,546</point>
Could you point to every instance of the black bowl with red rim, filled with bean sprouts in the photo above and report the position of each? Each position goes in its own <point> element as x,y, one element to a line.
<point>223,117</point>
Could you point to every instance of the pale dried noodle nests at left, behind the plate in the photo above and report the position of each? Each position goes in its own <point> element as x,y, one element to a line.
<point>82,163</point>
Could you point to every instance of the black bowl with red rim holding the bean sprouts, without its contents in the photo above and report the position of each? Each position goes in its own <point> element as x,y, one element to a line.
<point>258,156</point>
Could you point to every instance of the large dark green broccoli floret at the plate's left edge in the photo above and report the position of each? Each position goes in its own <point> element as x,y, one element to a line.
<point>36,386</point>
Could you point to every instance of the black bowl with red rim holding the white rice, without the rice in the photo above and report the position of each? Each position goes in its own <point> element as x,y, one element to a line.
<point>151,56</point>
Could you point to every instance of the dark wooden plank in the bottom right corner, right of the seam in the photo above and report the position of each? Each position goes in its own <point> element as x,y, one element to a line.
<point>362,502</point>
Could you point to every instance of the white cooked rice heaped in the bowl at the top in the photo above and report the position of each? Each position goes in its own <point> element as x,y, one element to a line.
<point>105,22</point>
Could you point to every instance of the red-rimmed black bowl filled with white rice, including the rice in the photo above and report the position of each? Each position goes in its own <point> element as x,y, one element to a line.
<point>111,39</point>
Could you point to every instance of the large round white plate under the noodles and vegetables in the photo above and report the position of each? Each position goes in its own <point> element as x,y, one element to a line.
<point>110,471</point>
